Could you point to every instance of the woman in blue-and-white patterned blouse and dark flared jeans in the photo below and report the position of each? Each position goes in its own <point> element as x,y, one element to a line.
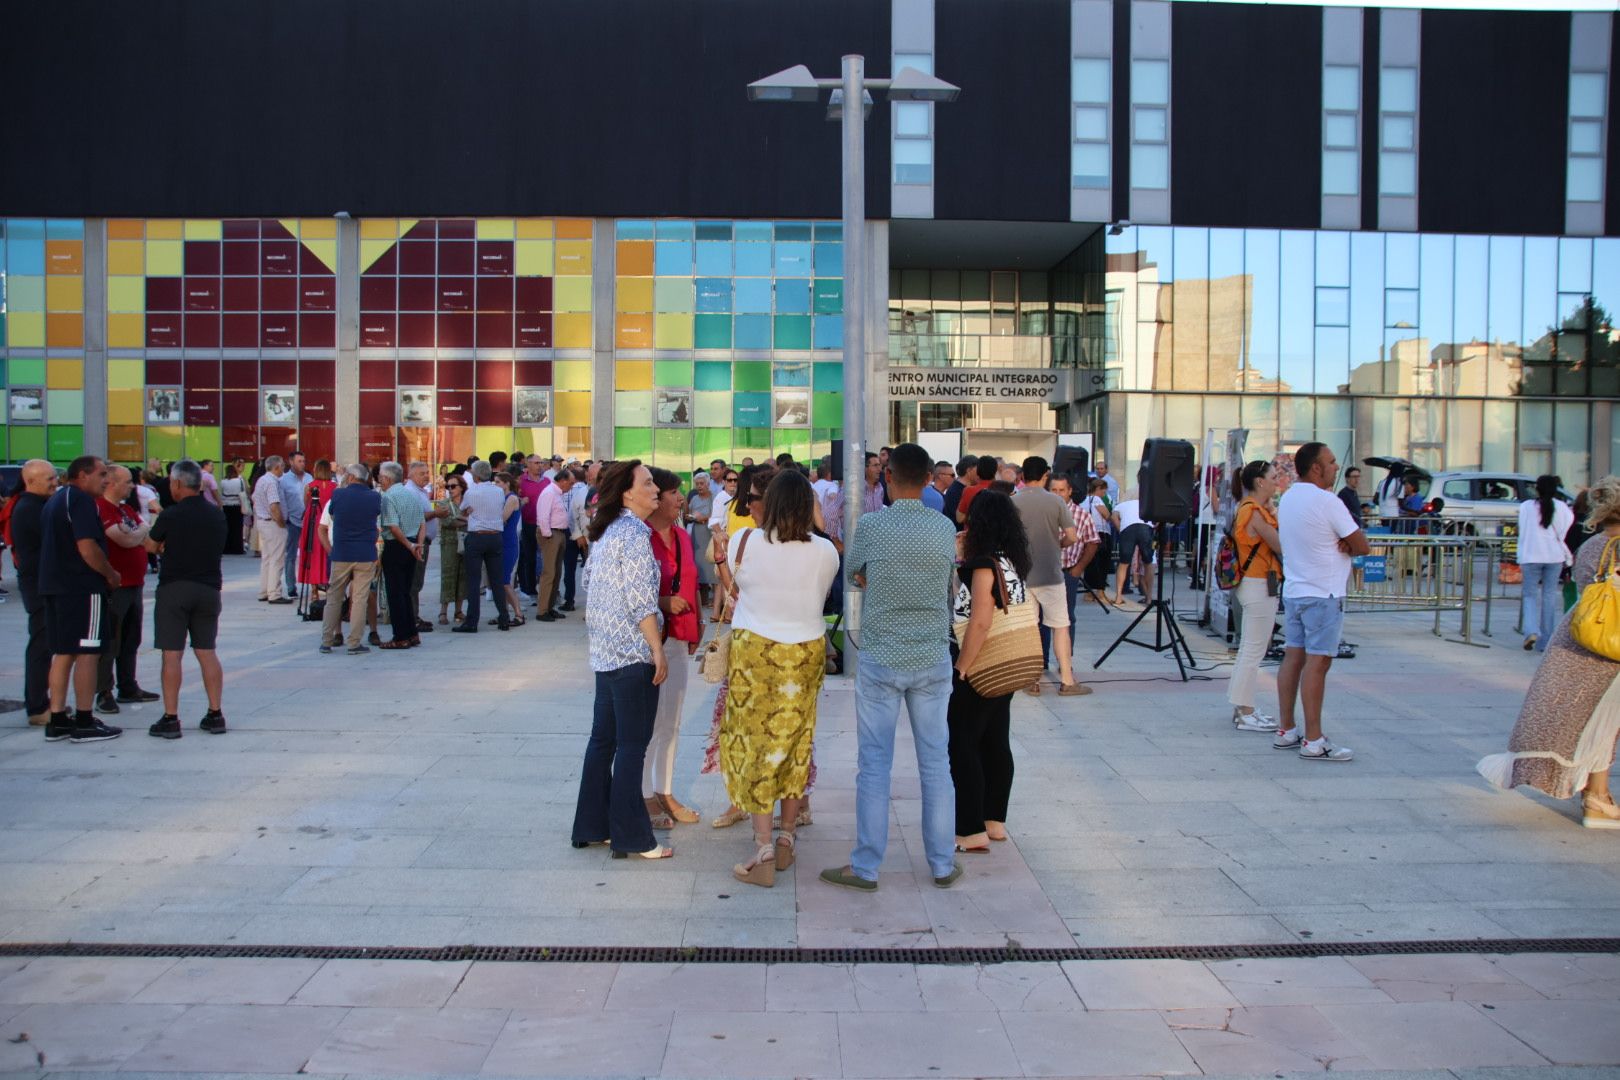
<point>628,655</point>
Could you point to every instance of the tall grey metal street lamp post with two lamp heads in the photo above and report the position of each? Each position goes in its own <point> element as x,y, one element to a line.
<point>850,104</point>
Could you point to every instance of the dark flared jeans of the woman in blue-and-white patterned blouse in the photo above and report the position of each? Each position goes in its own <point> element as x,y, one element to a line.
<point>612,806</point>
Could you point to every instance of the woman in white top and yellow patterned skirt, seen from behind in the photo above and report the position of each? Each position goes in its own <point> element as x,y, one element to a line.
<point>778,660</point>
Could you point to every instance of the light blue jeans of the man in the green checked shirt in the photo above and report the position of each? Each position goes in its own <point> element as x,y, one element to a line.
<point>879,695</point>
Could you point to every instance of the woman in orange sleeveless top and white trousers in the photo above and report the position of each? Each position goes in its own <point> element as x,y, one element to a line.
<point>1260,582</point>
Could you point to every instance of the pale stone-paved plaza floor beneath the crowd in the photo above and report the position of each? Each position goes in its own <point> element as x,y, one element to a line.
<point>425,797</point>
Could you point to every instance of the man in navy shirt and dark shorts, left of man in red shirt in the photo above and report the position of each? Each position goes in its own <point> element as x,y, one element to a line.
<point>75,580</point>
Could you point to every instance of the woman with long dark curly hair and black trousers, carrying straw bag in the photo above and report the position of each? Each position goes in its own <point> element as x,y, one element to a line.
<point>995,561</point>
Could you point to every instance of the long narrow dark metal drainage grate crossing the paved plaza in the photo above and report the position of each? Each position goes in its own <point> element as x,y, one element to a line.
<point>722,955</point>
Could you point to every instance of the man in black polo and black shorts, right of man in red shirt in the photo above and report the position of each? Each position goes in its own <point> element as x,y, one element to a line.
<point>190,537</point>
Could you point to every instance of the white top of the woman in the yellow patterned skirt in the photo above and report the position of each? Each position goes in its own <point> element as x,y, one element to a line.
<point>782,589</point>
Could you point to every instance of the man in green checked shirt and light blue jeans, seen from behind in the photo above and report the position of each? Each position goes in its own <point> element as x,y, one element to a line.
<point>903,559</point>
